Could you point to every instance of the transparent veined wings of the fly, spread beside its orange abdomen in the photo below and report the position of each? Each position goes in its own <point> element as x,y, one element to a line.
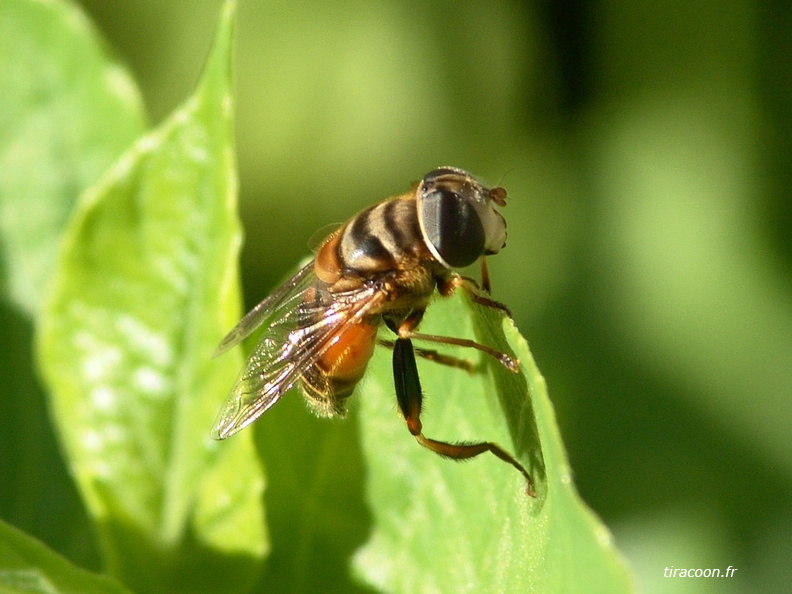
<point>304,321</point>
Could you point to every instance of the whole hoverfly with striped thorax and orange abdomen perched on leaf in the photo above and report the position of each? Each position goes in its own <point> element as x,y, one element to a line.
<point>381,266</point>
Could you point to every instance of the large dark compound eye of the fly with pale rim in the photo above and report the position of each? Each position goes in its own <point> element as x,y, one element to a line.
<point>452,226</point>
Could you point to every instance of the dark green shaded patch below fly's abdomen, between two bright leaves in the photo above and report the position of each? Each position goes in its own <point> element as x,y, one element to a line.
<point>315,500</point>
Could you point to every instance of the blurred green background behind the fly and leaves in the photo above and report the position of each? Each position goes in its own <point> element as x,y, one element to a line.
<point>646,150</point>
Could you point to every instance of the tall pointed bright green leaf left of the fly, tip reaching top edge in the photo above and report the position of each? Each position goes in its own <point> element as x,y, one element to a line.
<point>146,286</point>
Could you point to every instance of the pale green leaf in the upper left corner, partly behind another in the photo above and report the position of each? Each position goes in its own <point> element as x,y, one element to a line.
<point>68,112</point>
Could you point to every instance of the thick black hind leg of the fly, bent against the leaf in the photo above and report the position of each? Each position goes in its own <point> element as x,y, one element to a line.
<point>409,396</point>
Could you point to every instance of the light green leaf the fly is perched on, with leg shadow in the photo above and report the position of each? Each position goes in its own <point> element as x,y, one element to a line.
<point>469,527</point>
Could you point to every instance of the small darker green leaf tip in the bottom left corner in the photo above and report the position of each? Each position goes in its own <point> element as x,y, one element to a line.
<point>28,566</point>
